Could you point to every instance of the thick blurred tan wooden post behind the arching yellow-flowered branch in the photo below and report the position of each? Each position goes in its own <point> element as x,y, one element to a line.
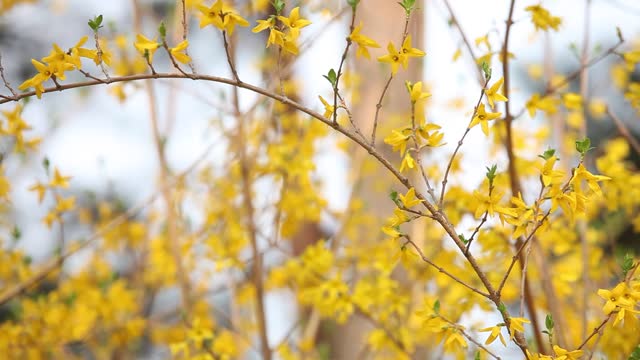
<point>384,22</point>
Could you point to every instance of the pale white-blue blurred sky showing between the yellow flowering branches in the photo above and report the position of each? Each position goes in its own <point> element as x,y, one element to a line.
<point>103,143</point>
